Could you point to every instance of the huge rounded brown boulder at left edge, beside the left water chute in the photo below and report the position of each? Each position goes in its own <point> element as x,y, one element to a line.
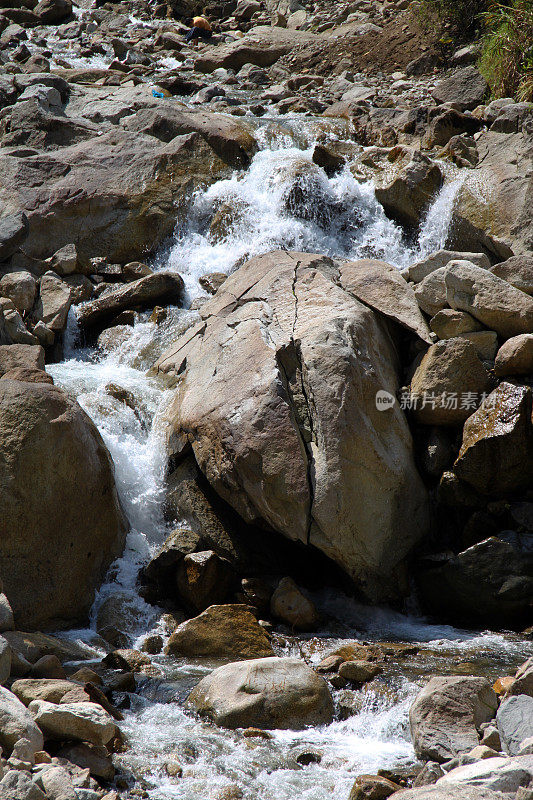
<point>69,511</point>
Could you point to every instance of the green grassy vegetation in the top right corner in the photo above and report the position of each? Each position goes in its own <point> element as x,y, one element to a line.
<point>505,30</point>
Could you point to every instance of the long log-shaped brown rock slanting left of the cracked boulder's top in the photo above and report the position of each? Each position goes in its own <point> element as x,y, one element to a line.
<point>158,288</point>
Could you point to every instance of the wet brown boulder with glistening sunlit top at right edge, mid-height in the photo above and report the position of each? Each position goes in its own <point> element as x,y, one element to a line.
<point>496,452</point>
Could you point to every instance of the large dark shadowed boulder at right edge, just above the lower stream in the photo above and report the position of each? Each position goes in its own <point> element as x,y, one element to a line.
<point>492,579</point>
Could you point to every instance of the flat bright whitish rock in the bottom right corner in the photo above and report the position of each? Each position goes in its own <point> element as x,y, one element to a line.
<point>497,774</point>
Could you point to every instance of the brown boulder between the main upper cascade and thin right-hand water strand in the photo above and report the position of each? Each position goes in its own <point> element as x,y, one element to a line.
<point>408,195</point>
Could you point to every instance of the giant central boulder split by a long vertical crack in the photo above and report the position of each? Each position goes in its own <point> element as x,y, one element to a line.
<point>276,396</point>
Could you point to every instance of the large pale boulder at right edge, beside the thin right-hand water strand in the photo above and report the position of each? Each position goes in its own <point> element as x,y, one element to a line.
<point>492,210</point>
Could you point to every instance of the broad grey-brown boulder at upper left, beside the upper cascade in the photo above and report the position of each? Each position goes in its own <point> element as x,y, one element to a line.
<point>114,195</point>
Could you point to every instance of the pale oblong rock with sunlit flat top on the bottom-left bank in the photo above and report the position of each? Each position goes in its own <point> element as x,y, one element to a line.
<point>84,722</point>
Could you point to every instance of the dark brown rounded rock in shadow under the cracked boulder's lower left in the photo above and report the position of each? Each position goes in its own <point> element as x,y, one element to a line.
<point>204,579</point>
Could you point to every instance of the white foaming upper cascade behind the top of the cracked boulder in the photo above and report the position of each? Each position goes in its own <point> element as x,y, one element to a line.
<point>285,201</point>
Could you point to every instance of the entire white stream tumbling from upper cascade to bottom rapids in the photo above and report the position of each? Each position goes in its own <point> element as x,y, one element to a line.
<point>353,225</point>
